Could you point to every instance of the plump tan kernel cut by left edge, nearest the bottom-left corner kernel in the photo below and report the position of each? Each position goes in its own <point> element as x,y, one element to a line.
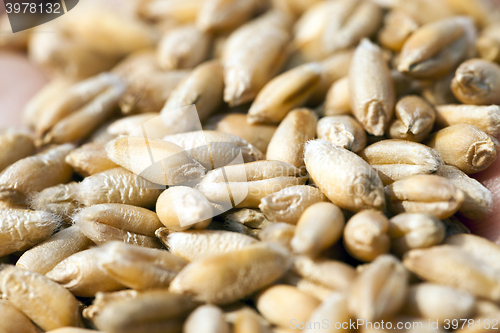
<point>46,303</point>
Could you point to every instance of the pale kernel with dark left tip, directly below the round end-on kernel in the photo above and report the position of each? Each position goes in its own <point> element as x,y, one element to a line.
<point>194,245</point>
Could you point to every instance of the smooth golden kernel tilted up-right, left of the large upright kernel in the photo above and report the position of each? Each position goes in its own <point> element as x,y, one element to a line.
<point>283,93</point>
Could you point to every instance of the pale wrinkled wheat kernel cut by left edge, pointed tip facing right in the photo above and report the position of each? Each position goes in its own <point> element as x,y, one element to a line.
<point>21,229</point>
